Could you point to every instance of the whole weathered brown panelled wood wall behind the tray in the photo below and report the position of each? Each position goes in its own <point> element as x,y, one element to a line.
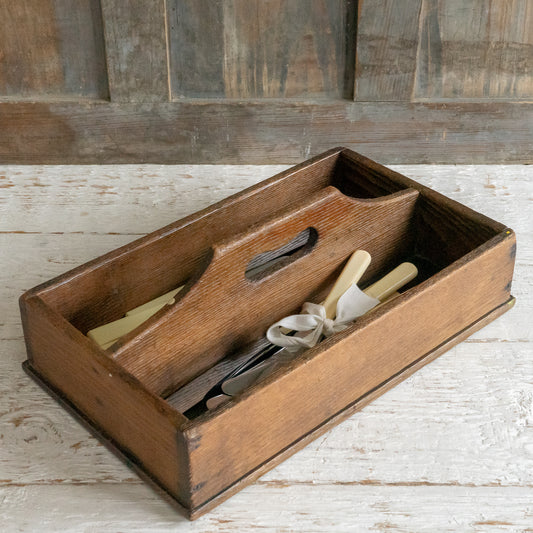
<point>263,81</point>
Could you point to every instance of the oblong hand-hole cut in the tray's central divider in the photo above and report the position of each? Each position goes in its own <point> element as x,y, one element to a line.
<point>266,263</point>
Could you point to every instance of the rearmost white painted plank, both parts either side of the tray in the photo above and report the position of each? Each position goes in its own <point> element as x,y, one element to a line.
<point>140,198</point>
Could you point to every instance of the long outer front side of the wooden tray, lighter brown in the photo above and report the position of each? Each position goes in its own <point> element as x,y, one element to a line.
<point>228,444</point>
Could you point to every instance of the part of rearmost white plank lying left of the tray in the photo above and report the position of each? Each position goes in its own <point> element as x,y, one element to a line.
<point>104,199</point>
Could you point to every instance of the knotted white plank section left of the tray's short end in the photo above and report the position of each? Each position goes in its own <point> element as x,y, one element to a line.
<point>39,441</point>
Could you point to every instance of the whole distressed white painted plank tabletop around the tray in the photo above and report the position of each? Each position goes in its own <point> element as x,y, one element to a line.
<point>448,450</point>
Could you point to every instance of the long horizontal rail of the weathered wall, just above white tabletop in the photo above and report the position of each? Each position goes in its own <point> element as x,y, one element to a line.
<point>279,132</point>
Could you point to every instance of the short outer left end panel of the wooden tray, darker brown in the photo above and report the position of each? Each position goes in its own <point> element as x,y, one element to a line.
<point>119,408</point>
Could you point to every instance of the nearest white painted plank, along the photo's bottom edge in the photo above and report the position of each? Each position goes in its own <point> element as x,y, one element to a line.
<point>272,508</point>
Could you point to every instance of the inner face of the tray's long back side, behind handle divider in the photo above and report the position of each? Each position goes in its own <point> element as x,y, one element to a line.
<point>166,258</point>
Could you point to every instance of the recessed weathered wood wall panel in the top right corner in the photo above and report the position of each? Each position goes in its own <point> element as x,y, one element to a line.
<point>475,49</point>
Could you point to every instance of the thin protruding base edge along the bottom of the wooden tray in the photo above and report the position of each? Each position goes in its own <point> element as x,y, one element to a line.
<point>303,441</point>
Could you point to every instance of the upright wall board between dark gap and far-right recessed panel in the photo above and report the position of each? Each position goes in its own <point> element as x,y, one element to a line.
<point>387,46</point>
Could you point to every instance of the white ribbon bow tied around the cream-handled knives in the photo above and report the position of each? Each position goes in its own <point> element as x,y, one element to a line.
<point>312,323</point>
